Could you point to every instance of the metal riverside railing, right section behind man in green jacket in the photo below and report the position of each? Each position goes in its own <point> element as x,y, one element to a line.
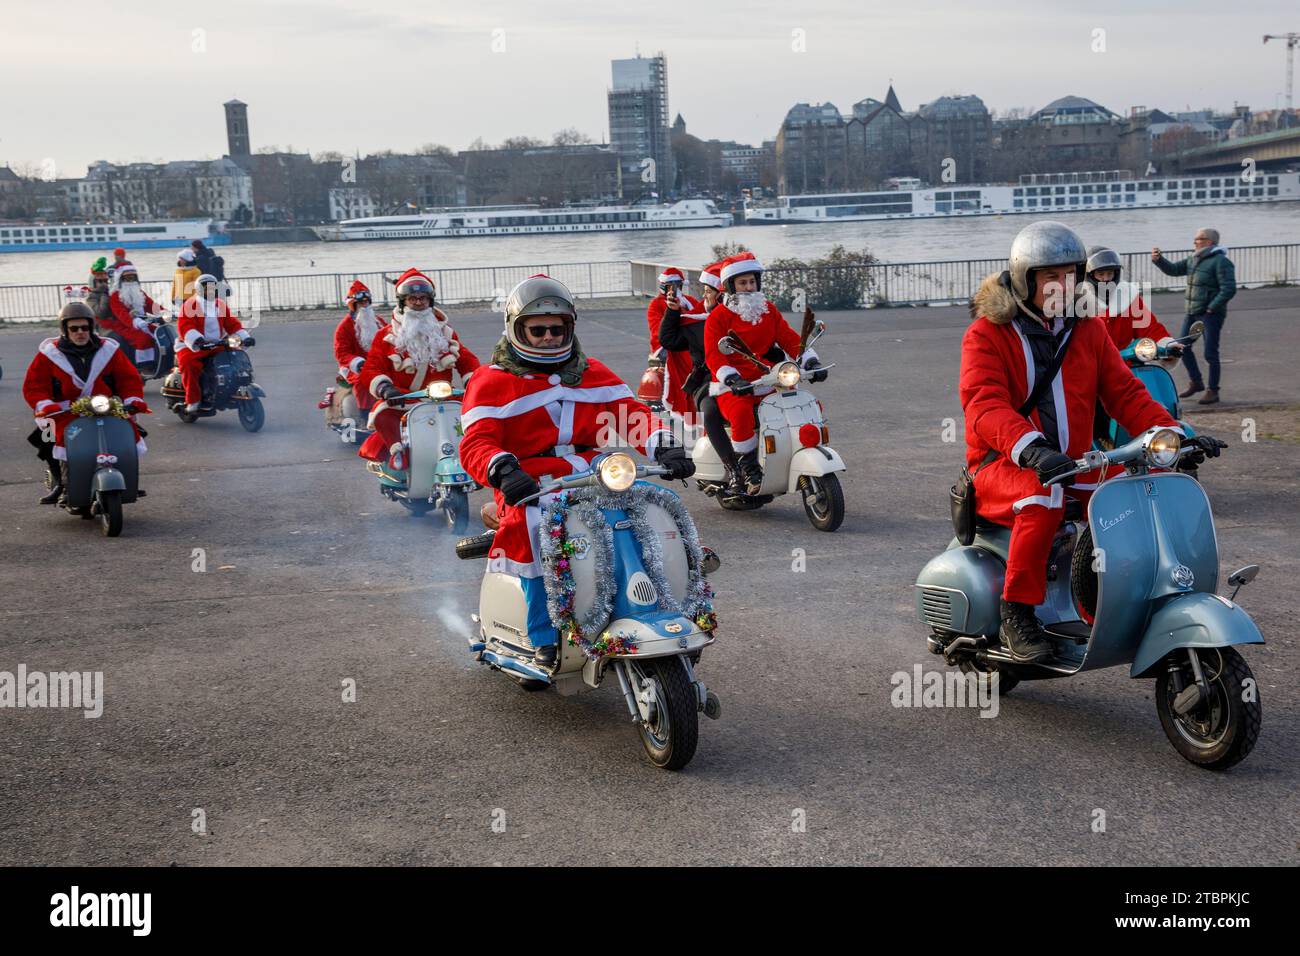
<point>957,280</point>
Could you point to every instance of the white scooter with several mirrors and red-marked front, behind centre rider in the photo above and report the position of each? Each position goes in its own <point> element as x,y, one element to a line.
<point>794,443</point>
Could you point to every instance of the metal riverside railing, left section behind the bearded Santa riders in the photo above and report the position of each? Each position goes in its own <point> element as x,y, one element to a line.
<point>20,304</point>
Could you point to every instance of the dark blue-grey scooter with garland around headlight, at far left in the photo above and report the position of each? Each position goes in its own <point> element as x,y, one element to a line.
<point>103,464</point>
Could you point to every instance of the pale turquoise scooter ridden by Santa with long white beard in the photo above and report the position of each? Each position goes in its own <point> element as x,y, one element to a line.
<point>432,475</point>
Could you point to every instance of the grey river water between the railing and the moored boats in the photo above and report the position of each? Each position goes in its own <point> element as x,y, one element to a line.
<point>898,241</point>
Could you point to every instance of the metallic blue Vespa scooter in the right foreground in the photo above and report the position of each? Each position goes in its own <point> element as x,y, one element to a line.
<point>1146,596</point>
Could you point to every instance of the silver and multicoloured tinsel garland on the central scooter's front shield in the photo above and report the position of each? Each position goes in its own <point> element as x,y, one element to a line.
<point>558,551</point>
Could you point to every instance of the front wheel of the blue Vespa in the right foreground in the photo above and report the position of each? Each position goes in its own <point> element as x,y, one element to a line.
<point>1220,732</point>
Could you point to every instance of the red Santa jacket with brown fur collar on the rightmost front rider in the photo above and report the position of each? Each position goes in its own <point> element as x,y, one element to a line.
<point>998,374</point>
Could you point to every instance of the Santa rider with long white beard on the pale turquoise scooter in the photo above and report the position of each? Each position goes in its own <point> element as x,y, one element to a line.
<point>417,349</point>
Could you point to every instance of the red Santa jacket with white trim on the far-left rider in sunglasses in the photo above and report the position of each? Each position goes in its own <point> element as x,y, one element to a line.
<point>51,386</point>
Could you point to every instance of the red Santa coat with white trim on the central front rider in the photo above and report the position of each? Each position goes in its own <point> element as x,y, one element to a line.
<point>553,430</point>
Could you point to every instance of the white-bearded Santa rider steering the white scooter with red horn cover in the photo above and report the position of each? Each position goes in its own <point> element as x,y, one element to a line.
<point>744,313</point>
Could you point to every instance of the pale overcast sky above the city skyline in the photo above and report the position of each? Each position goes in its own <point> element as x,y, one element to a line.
<point>145,81</point>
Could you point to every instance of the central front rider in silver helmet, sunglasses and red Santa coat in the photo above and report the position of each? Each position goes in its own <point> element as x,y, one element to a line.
<point>541,409</point>
